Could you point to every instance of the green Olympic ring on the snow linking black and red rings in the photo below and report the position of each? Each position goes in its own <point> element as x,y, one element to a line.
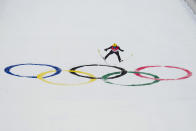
<point>105,78</point>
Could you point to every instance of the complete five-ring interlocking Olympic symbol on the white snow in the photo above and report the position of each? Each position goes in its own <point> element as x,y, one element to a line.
<point>42,76</point>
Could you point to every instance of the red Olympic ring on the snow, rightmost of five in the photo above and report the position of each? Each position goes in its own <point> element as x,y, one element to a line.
<point>189,73</point>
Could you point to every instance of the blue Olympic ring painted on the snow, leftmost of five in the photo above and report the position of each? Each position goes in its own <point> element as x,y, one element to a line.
<point>8,70</point>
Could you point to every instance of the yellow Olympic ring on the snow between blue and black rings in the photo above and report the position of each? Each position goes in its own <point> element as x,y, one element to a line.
<point>40,76</point>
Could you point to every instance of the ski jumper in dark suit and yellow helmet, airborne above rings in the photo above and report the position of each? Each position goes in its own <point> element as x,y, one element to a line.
<point>114,50</point>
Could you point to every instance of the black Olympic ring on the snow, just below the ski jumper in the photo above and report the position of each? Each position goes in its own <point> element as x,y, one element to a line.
<point>123,71</point>
